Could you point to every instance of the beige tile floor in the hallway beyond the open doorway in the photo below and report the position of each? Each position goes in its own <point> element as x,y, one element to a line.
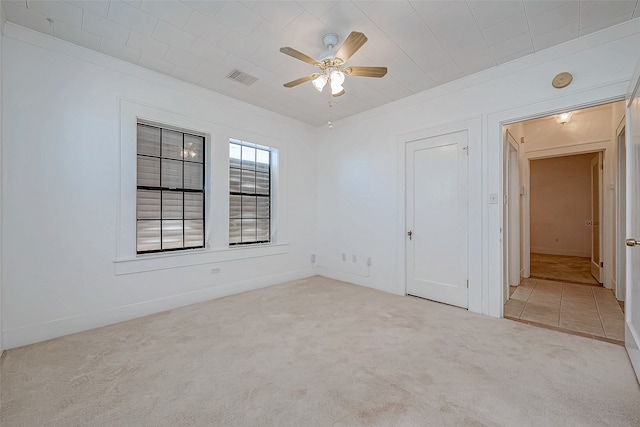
<point>590,311</point>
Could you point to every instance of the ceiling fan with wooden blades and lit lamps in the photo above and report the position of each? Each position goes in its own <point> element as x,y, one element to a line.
<point>330,63</point>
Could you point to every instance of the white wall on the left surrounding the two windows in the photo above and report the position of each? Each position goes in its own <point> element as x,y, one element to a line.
<point>66,266</point>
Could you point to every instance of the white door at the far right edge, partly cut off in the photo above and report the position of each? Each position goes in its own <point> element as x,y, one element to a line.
<point>632,302</point>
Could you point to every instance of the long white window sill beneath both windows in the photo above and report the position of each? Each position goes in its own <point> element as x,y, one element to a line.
<point>163,261</point>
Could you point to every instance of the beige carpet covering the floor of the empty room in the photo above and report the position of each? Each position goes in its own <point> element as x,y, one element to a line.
<point>317,352</point>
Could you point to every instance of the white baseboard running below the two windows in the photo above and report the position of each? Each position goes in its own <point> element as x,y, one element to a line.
<point>13,338</point>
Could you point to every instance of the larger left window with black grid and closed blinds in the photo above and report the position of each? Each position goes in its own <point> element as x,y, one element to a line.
<point>170,197</point>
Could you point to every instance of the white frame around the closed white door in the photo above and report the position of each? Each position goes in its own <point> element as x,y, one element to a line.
<point>473,127</point>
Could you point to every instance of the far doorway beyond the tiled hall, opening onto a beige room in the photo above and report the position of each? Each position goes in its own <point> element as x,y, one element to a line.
<point>564,211</point>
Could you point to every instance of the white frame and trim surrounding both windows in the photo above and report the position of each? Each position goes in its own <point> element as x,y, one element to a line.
<point>216,248</point>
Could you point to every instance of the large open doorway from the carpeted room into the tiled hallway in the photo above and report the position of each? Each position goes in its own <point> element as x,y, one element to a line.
<point>564,210</point>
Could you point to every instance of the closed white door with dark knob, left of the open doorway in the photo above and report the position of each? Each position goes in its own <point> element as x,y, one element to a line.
<point>437,241</point>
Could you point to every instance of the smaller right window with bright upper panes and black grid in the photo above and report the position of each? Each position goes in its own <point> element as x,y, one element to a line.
<point>249,194</point>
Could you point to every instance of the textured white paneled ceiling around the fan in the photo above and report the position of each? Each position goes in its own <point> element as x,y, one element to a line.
<point>423,43</point>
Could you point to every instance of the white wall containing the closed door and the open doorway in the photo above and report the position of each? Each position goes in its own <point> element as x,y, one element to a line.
<point>360,164</point>
